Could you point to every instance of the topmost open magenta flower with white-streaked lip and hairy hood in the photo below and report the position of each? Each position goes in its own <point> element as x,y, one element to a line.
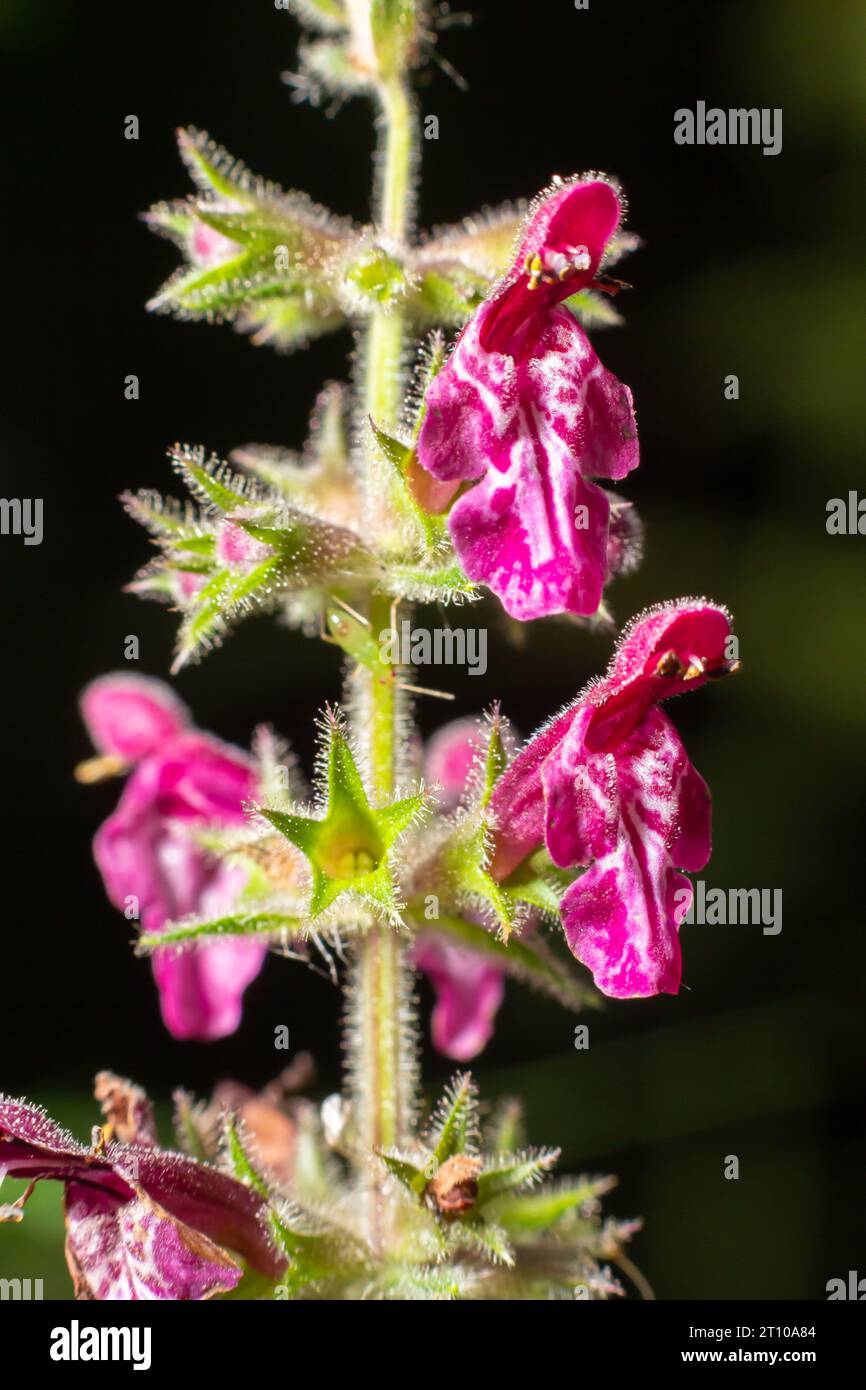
<point>526,412</point>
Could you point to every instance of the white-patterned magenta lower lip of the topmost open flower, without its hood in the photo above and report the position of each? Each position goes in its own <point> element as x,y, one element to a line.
<point>534,530</point>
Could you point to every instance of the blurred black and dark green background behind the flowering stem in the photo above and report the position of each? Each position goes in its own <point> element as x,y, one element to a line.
<point>753,266</point>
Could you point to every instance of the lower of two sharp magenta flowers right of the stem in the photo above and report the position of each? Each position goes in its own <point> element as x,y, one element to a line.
<point>608,785</point>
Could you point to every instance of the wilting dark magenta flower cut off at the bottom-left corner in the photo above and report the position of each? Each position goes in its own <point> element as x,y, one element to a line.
<point>142,1224</point>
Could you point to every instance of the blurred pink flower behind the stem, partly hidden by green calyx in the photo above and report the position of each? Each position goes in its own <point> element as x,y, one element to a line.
<point>469,990</point>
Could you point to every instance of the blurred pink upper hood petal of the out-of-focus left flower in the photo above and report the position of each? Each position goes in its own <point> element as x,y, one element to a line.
<point>130,717</point>
